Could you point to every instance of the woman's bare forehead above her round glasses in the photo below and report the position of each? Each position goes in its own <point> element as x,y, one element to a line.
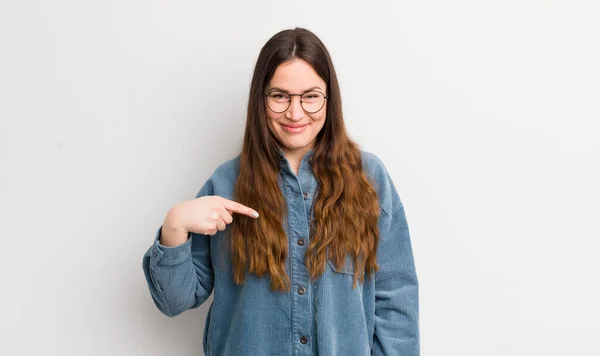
<point>296,76</point>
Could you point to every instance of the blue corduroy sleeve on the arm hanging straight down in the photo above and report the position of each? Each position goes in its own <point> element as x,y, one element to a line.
<point>396,283</point>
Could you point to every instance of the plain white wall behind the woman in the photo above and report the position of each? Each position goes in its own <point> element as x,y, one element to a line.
<point>485,113</point>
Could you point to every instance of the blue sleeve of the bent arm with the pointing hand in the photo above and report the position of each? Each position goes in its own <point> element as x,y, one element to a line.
<point>181,277</point>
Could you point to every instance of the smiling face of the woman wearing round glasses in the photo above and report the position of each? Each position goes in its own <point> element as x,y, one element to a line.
<point>296,129</point>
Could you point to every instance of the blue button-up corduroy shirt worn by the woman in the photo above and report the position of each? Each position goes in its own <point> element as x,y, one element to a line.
<point>325,317</point>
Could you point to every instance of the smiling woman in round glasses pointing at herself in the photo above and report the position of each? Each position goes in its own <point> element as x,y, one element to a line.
<point>327,268</point>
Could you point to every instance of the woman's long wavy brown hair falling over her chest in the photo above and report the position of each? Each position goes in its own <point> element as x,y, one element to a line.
<point>346,206</point>
